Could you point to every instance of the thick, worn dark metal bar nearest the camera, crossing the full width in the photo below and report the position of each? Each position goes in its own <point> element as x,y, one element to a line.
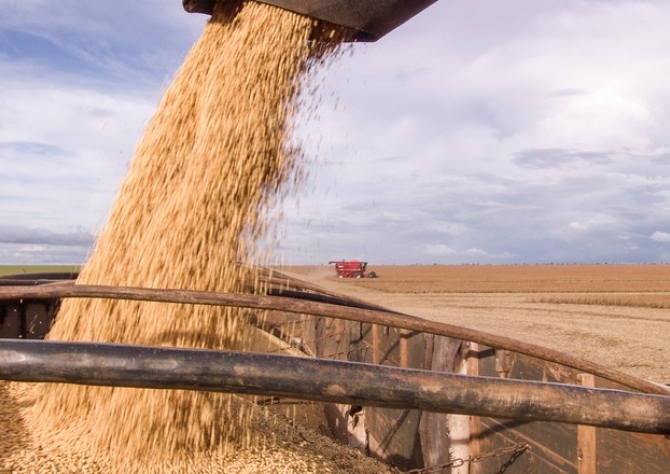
<point>329,381</point>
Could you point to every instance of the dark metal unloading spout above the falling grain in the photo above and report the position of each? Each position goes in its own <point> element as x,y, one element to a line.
<point>371,19</point>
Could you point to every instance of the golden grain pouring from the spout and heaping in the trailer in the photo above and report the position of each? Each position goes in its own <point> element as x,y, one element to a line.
<point>193,205</point>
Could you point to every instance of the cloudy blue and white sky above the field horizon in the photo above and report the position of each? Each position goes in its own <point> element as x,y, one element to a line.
<point>524,131</point>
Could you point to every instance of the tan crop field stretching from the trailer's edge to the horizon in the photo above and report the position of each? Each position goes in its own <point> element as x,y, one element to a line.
<point>616,315</point>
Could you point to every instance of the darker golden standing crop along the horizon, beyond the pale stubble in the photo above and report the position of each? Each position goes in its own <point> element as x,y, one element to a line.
<point>629,285</point>
